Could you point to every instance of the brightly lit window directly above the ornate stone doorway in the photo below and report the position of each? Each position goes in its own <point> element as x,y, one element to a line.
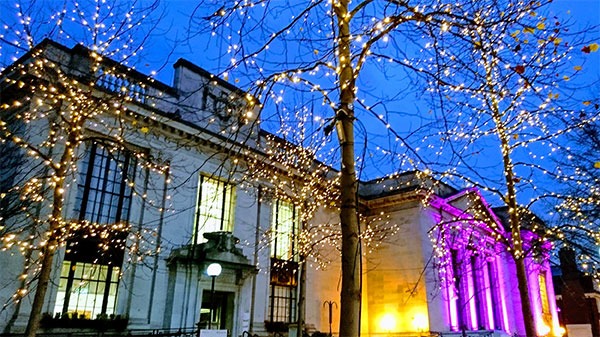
<point>215,205</point>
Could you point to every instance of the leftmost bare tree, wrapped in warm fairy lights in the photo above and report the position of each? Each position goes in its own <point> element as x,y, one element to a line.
<point>50,101</point>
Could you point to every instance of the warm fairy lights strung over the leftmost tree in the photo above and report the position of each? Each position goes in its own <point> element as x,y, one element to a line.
<point>46,93</point>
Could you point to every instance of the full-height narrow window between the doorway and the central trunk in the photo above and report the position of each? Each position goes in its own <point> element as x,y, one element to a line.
<point>284,265</point>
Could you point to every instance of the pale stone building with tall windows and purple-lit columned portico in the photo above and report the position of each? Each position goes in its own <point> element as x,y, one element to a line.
<point>192,126</point>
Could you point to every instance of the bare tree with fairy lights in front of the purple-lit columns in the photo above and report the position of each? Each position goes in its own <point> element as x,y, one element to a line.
<point>503,108</point>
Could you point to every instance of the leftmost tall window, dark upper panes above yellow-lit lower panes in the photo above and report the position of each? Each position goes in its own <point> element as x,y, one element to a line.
<point>90,273</point>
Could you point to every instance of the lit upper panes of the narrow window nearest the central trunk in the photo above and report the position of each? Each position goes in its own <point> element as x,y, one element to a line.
<point>284,227</point>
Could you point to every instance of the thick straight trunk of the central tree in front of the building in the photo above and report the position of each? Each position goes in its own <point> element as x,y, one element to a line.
<point>350,294</point>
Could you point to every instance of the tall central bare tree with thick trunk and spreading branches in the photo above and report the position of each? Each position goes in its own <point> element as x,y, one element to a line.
<point>327,49</point>
